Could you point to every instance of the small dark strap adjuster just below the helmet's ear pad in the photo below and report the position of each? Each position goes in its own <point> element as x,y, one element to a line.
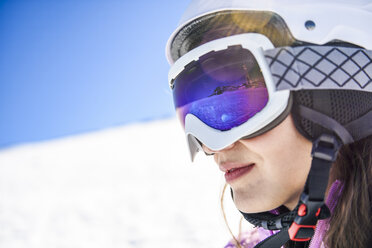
<point>326,147</point>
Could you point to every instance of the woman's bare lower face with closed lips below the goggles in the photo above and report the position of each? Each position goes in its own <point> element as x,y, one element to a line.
<point>273,168</point>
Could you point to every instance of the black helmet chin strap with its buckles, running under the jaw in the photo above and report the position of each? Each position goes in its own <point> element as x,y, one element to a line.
<point>299,224</point>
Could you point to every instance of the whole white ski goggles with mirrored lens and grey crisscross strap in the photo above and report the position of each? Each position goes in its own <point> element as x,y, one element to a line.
<point>239,86</point>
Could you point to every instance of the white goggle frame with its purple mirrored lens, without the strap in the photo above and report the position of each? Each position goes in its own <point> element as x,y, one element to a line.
<point>223,91</point>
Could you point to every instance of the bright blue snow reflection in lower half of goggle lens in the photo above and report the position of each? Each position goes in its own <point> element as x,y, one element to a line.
<point>227,109</point>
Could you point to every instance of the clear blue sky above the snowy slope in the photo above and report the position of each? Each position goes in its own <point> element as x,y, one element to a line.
<point>68,67</point>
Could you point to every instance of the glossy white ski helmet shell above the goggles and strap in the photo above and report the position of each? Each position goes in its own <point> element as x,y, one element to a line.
<point>309,21</point>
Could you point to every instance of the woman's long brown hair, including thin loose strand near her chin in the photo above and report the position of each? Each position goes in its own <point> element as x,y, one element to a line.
<point>350,223</point>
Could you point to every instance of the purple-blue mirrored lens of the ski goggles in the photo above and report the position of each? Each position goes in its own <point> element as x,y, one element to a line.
<point>223,89</point>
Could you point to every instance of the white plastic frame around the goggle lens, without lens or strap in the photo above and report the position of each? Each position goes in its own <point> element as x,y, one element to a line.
<point>215,139</point>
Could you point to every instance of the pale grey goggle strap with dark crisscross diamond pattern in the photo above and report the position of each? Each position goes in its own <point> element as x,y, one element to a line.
<point>320,67</point>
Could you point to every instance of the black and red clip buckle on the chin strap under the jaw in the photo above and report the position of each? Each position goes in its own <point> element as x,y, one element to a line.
<point>303,226</point>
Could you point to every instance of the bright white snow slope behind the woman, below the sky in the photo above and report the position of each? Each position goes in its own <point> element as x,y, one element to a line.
<point>131,186</point>
